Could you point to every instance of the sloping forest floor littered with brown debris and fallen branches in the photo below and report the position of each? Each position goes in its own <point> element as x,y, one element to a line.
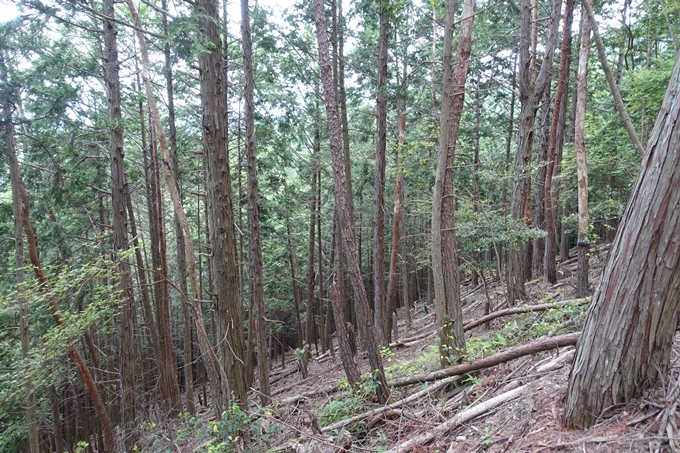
<point>526,395</point>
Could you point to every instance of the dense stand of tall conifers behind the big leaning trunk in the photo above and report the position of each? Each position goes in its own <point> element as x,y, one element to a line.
<point>188,191</point>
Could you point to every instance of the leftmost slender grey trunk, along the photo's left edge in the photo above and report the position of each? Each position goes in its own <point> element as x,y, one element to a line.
<point>15,175</point>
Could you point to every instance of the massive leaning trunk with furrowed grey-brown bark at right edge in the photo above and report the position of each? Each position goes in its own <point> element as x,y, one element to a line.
<point>631,324</point>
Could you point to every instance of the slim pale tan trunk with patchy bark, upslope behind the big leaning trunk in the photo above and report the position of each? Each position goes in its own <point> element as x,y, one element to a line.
<point>581,166</point>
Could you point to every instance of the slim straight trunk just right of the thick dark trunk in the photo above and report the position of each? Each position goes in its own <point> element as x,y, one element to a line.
<point>255,245</point>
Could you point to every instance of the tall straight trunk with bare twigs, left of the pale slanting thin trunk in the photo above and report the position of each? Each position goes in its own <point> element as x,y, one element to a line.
<point>119,212</point>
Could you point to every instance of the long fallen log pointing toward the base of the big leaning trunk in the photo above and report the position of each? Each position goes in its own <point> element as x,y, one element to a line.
<point>542,344</point>
